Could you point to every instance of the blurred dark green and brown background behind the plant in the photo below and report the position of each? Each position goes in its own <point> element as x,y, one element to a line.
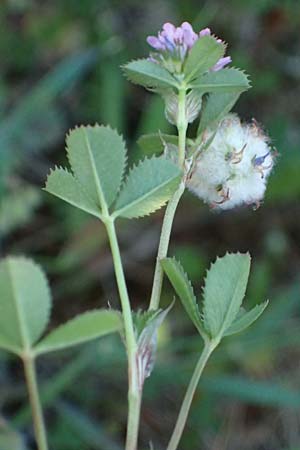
<point>60,66</point>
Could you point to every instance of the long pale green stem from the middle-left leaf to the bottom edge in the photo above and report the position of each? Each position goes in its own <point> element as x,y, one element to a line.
<point>134,390</point>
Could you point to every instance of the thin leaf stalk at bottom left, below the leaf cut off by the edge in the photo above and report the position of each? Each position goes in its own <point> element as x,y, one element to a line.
<point>37,412</point>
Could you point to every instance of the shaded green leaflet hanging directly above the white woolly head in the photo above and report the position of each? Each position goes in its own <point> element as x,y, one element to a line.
<point>216,107</point>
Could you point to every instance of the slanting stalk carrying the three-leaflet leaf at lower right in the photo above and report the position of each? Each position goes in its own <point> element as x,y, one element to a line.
<point>185,407</point>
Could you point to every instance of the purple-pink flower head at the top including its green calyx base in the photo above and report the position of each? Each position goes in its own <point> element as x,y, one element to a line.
<point>173,44</point>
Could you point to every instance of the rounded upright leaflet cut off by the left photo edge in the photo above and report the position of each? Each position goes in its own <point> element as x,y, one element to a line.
<point>24,303</point>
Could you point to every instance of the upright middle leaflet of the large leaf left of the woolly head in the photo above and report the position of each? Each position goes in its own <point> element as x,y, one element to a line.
<point>97,156</point>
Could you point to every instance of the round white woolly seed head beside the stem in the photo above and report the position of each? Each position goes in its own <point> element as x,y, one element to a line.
<point>233,170</point>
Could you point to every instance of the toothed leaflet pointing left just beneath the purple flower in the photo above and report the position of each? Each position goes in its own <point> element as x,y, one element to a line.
<point>148,74</point>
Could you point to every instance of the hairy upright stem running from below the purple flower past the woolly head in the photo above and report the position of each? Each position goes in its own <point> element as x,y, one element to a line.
<point>182,125</point>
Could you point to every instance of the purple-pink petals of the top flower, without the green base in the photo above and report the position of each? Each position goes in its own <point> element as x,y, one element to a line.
<point>178,41</point>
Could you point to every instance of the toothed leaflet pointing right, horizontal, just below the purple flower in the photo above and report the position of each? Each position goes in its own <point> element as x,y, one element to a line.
<point>225,80</point>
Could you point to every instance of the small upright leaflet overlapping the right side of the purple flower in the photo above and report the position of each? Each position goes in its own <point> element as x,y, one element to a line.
<point>204,54</point>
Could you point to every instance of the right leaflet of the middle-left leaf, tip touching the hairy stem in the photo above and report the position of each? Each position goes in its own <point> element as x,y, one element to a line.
<point>147,188</point>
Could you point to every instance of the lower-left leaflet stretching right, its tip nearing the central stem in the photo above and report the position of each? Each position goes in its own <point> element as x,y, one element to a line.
<point>83,328</point>
